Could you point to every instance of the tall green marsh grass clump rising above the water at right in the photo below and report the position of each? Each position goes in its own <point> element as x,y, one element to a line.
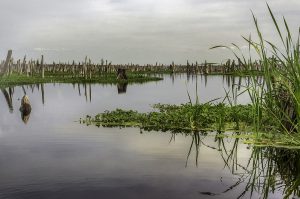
<point>278,95</point>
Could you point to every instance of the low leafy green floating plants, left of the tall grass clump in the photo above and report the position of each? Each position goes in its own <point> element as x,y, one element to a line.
<point>178,118</point>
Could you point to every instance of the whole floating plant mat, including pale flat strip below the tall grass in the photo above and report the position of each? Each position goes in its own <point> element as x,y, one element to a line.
<point>189,118</point>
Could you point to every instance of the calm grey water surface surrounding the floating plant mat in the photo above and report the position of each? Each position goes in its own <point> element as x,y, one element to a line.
<point>50,155</point>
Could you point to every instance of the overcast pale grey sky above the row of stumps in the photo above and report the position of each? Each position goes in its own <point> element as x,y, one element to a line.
<point>136,31</point>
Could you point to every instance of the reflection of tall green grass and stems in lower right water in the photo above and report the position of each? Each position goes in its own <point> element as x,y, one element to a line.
<point>269,172</point>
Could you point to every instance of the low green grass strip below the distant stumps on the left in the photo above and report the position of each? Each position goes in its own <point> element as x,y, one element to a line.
<point>16,79</point>
